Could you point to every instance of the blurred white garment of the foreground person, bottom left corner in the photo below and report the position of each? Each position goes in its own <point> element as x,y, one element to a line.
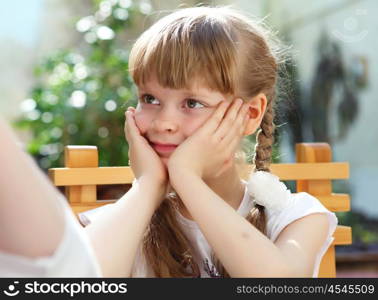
<point>74,256</point>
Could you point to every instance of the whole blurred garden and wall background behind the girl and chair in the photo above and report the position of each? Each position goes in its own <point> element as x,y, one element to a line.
<point>63,81</point>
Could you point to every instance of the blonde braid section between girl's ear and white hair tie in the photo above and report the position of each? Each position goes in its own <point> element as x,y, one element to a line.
<point>264,141</point>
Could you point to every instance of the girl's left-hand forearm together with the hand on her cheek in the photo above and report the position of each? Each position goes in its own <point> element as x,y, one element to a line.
<point>117,233</point>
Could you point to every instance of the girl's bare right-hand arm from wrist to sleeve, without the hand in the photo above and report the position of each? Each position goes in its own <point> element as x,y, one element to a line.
<point>243,249</point>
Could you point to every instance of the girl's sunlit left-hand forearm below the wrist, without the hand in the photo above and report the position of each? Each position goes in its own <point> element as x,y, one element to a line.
<point>117,233</point>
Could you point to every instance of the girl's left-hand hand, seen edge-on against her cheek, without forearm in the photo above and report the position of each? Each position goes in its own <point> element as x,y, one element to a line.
<point>144,161</point>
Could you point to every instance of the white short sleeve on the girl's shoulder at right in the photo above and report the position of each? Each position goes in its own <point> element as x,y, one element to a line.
<point>303,204</point>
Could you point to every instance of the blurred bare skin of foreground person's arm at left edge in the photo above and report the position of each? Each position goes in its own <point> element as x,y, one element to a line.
<point>28,202</point>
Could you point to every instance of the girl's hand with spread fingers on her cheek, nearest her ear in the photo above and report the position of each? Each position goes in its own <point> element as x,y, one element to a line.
<point>210,150</point>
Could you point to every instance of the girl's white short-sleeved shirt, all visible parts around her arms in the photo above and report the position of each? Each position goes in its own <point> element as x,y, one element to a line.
<point>303,204</point>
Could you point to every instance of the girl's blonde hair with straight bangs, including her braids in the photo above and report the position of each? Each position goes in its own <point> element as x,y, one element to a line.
<point>231,53</point>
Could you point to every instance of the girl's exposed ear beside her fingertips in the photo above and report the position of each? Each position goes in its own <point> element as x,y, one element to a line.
<point>257,107</point>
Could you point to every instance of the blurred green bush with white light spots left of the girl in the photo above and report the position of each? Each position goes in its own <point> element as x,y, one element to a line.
<point>80,94</point>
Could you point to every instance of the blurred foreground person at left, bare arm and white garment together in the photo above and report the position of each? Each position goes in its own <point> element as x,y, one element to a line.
<point>39,234</point>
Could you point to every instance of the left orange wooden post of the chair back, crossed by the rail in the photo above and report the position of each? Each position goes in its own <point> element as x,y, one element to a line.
<point>81,157</point>
